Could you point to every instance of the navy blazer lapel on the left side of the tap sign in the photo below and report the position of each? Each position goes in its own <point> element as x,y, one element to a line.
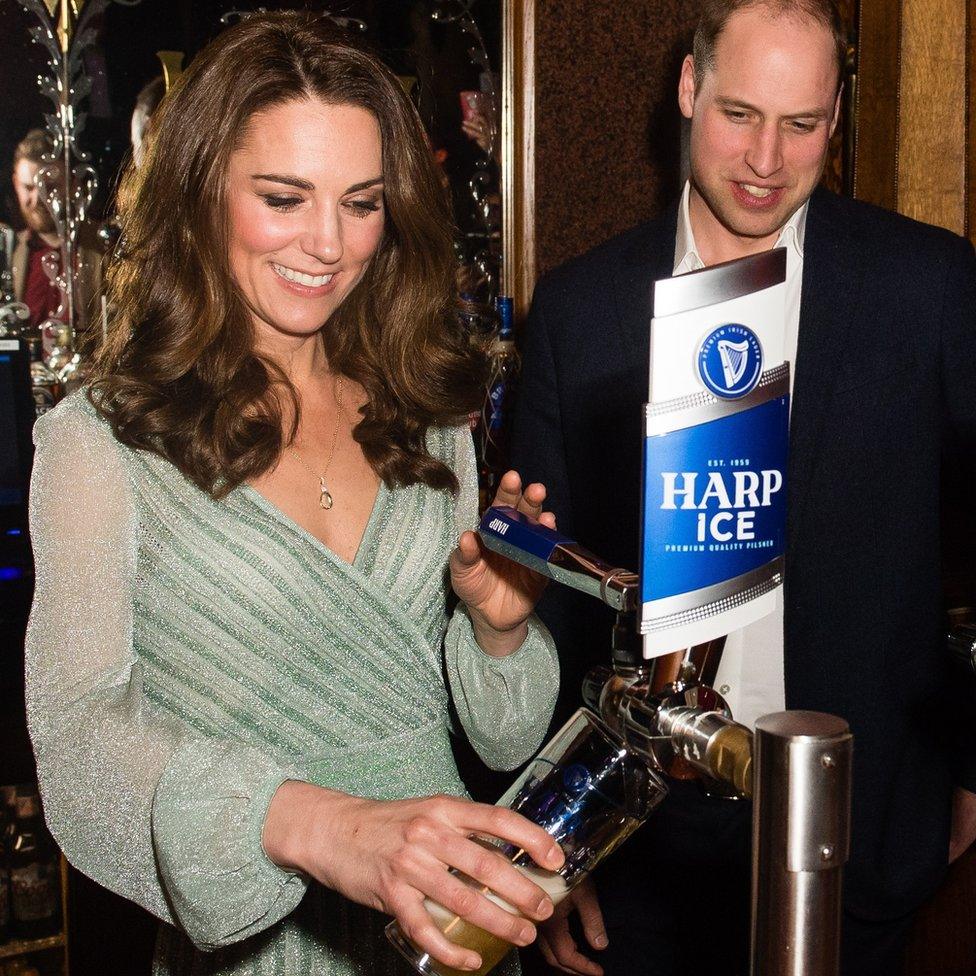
<point>648,258</point>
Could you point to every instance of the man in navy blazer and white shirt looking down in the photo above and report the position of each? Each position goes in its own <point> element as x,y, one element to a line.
<point>884,361</point>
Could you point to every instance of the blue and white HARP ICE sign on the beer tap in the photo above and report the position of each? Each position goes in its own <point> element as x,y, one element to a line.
<point>715,448</point>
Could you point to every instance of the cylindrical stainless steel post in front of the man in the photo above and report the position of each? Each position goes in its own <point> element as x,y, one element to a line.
<point>800,842</point>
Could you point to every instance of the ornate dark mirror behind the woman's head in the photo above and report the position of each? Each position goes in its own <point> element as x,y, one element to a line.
<point>76,68</point>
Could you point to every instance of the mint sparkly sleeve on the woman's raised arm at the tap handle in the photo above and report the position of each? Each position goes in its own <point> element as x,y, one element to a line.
<point>504,704</point>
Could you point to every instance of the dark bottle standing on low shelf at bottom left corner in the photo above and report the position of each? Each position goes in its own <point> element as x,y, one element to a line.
<point>35,889</point>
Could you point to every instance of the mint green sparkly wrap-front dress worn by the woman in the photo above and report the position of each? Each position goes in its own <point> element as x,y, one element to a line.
<point>186,656</point>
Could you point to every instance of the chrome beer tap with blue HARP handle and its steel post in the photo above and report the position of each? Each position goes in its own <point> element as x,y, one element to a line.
<point>666,709</point>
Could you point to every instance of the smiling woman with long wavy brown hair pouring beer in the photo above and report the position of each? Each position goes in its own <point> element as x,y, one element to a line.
<point>244,531</point>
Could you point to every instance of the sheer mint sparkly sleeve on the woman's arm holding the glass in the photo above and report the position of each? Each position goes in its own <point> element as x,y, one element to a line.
<point>137,801</point>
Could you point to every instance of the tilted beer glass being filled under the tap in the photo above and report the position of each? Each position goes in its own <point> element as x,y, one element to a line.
<point>586,789</point>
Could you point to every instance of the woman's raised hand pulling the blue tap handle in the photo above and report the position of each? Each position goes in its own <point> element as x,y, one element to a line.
<point>500,594</point>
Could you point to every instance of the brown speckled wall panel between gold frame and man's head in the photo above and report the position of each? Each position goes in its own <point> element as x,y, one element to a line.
<point>607,124</point>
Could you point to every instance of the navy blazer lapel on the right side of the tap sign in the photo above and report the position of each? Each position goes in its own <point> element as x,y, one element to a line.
<point>828,302</point>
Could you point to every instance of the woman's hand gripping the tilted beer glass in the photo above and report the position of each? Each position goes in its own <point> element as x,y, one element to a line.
<point>390,855</point>
